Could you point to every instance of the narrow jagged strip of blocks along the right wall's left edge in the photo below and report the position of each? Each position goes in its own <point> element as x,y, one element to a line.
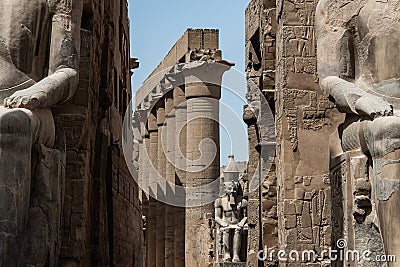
<point>260,71</point>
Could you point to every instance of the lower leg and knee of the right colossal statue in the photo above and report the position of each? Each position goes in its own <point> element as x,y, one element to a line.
<point>383,141</point>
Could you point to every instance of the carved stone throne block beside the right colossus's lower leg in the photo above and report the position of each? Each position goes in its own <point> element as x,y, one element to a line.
<point>356,221</point>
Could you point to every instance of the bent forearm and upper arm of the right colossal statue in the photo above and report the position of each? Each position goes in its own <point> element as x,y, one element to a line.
<point>346,95</point>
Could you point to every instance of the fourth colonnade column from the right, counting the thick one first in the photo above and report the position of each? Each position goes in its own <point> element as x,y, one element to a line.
<point>161,188</point>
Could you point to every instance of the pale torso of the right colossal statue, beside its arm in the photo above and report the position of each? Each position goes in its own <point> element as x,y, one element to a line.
<point>378,47</point>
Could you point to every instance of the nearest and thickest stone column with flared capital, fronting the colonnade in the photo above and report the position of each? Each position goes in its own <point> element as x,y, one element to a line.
<point>202,91</point>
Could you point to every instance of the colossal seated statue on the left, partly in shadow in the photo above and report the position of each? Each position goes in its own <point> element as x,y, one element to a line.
<point>39,55</point>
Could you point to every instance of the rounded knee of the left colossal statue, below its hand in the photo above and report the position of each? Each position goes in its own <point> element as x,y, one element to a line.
<point>15,122</point>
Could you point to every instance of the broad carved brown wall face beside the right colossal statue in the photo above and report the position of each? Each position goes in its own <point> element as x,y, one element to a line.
<point>305,119</point>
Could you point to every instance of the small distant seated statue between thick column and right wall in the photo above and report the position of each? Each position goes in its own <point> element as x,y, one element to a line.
<point>231,216</point>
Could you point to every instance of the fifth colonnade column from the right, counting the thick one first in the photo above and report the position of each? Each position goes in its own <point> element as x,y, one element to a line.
<point>152,164</point>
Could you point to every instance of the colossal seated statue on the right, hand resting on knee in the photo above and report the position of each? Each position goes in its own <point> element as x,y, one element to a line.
<point>359,69</point>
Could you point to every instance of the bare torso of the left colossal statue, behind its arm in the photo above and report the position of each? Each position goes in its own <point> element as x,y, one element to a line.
<point>24,31</point>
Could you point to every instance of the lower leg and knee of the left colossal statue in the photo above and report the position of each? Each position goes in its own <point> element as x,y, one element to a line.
<point>19,129</point>
